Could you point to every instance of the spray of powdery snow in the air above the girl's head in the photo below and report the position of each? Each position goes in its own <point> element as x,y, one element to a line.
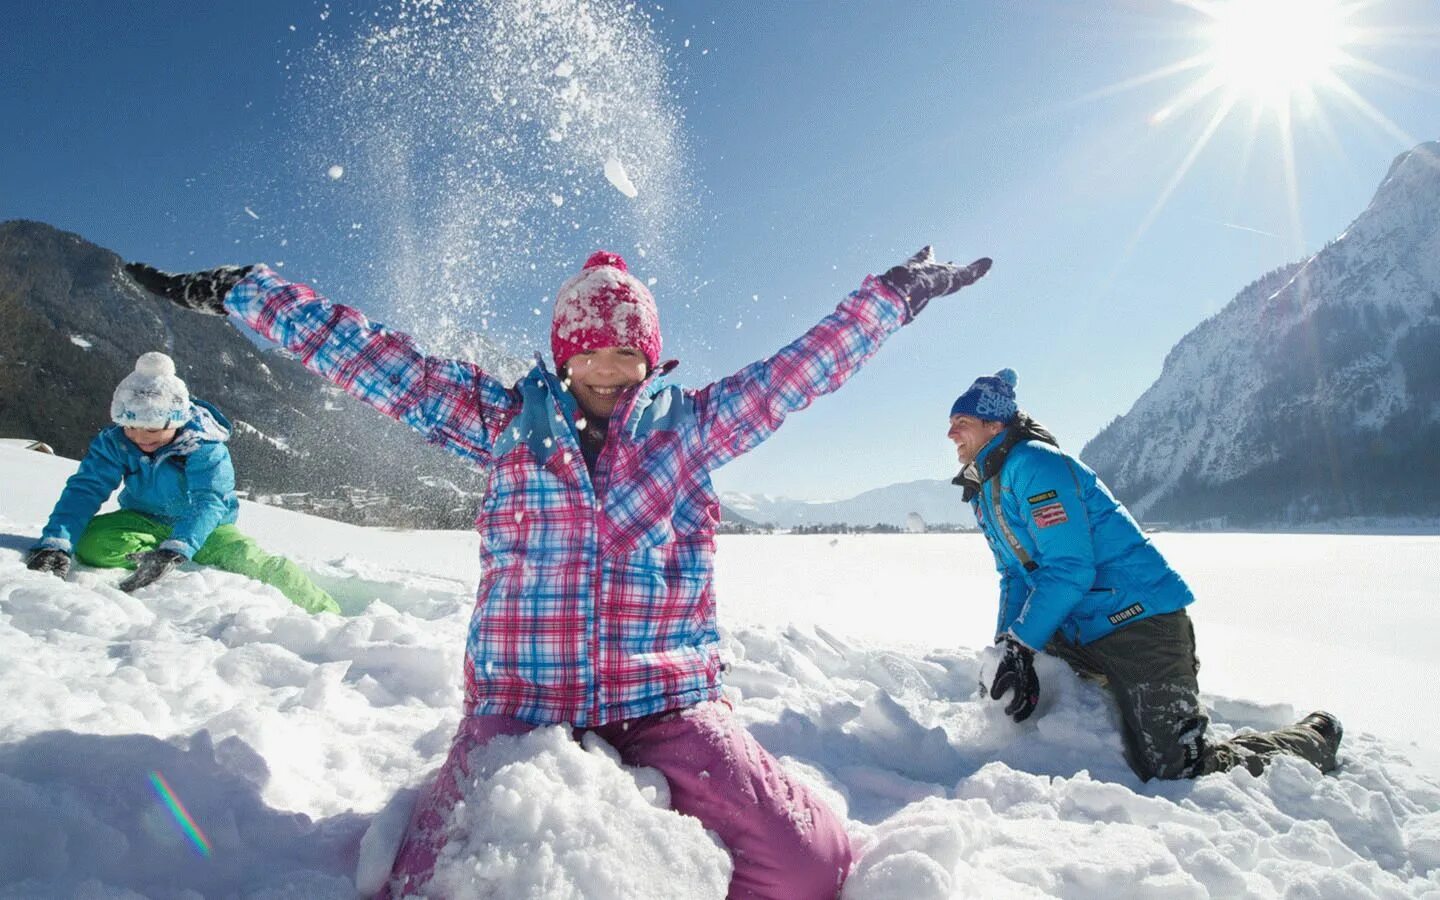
<point>467,156</point>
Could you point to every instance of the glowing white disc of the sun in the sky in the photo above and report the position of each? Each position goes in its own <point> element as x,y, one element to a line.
<point>1277,53</point>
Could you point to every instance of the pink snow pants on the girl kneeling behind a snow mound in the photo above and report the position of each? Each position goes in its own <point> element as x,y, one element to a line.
<point>786,843</point>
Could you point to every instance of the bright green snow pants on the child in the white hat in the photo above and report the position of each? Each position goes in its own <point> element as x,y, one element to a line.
<point>110,539</point>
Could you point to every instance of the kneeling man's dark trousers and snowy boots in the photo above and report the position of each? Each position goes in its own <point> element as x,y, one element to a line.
<point>1151,666</point>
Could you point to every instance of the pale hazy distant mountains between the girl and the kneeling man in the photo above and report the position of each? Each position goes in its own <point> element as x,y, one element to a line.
<point>934,500</point>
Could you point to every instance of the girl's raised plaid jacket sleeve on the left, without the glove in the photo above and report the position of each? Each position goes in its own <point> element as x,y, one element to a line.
<point>451,402</point>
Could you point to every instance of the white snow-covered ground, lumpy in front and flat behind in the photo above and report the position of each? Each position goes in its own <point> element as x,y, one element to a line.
<point>294,742</point>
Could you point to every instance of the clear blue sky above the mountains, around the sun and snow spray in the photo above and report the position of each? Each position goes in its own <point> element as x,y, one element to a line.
<point>820,142</point>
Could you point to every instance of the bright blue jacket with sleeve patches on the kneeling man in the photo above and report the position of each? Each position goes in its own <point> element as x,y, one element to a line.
<point>1082,568</point>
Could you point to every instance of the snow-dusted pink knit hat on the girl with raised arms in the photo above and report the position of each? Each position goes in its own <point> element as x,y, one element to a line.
<point>604,306</point>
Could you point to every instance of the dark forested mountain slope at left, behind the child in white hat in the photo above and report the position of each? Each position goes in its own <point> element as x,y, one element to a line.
<point>74,325</point>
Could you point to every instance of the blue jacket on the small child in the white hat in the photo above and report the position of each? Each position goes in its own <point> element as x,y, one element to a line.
<point>188,485</point>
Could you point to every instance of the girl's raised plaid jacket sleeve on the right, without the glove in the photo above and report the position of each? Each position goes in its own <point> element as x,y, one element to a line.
<point>741,411</point>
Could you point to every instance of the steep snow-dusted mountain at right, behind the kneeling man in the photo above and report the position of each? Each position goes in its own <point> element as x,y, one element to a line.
<point>1314,395</point>
